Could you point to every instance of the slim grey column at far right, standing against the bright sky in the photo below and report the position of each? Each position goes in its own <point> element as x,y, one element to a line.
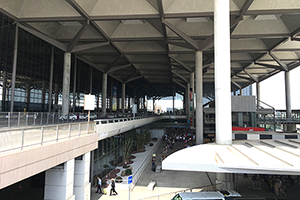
<point>288,98</point>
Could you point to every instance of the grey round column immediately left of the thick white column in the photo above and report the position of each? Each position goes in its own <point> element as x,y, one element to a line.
<point>199,97</point>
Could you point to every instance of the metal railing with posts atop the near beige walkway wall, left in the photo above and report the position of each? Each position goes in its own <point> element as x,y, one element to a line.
<point>19,138</point>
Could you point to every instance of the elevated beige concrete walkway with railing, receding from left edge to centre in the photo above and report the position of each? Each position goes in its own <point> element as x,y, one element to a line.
<point>26,151</point>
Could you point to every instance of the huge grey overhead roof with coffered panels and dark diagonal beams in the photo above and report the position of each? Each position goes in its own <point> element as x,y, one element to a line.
<point>156,40</point>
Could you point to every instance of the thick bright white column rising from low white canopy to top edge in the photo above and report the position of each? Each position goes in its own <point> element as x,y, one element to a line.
<point>222,72</point>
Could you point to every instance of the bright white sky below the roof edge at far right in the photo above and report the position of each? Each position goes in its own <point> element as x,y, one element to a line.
<point>273,90</point>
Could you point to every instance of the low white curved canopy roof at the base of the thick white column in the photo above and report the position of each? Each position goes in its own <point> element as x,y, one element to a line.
<point>257,157</point>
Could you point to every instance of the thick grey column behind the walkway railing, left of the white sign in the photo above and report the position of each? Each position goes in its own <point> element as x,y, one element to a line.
<point>66,83</point>
